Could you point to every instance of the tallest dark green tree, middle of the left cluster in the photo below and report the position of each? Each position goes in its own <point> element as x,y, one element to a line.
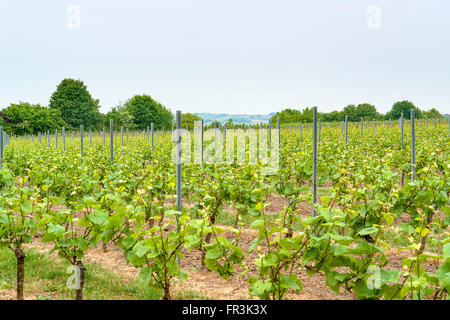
<point>76,105</point>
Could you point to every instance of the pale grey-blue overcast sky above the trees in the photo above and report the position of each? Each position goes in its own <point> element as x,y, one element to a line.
<point>233,56</point>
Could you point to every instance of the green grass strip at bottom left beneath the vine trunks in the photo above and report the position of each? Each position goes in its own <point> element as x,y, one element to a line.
<point>46,278</point>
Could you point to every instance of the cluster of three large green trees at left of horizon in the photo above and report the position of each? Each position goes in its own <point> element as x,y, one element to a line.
<point>71,105</point>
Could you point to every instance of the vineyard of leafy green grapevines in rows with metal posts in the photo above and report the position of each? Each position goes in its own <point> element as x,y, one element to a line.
<point>375,225</point>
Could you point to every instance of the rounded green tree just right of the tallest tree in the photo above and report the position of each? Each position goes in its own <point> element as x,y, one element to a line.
<point>145,110</point>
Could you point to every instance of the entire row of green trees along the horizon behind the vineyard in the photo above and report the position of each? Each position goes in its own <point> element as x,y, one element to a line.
<point>71,105</point>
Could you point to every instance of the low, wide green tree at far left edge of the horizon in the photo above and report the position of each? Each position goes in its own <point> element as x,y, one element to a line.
<point>25,118</point>
